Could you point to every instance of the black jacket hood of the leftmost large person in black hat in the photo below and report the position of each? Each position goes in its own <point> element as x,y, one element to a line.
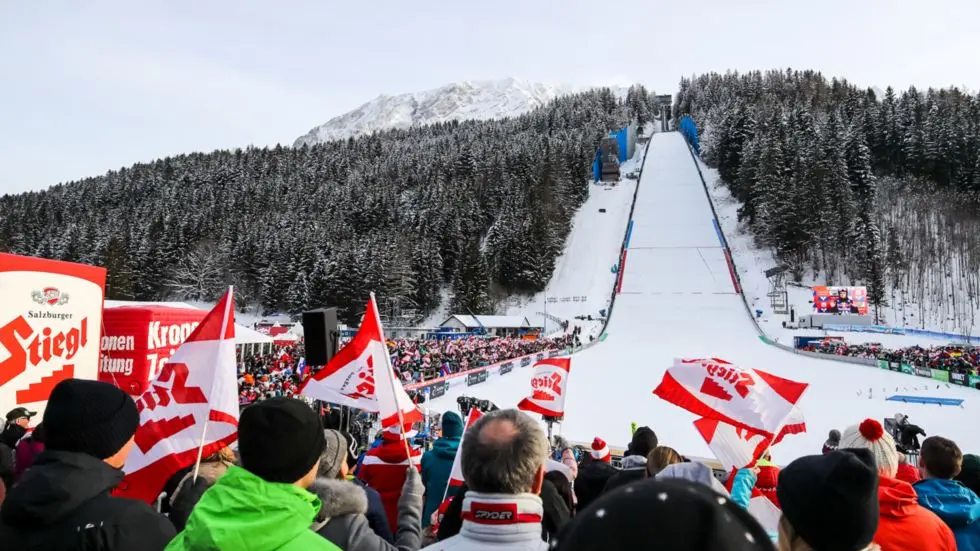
<point>57,484</point>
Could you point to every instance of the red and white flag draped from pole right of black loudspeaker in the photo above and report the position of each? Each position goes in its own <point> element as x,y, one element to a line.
<point>361,376</point>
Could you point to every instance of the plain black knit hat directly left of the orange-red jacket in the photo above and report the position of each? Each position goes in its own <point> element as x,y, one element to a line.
<point>829,501</point>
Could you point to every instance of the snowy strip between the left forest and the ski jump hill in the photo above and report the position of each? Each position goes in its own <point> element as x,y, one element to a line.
<point>583,279</point>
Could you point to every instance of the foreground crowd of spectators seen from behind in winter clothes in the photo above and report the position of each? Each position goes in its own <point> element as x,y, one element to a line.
<point>295,485</point>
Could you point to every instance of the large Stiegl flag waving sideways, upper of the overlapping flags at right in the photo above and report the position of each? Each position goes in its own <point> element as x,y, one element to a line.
<point>715,389</point>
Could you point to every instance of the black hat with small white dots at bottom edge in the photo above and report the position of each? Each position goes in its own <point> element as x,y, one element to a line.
<point>673,514</point>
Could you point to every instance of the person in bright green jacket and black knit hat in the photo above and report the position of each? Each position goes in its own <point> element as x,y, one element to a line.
<point>264,504</point>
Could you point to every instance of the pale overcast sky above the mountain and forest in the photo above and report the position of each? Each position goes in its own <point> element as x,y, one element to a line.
<point>96,85</point>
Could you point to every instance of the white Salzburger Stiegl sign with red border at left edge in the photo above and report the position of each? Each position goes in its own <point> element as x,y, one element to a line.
<point>50,320</point>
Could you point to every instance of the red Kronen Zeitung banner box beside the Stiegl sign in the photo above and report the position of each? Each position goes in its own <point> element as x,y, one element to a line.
<point>139,340</point>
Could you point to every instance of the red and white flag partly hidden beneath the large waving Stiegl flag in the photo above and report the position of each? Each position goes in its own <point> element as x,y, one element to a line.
<point>736,448</point>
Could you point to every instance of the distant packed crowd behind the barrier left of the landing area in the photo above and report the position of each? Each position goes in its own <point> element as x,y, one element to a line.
<point>282,371</point>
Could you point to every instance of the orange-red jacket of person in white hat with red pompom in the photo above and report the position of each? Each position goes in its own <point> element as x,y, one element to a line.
<point>904,525</point>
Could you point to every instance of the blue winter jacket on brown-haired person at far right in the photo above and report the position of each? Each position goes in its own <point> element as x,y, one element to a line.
<point>957,505</point>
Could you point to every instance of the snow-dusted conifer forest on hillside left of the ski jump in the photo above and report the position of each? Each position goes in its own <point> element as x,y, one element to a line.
<point>484,206</point>
